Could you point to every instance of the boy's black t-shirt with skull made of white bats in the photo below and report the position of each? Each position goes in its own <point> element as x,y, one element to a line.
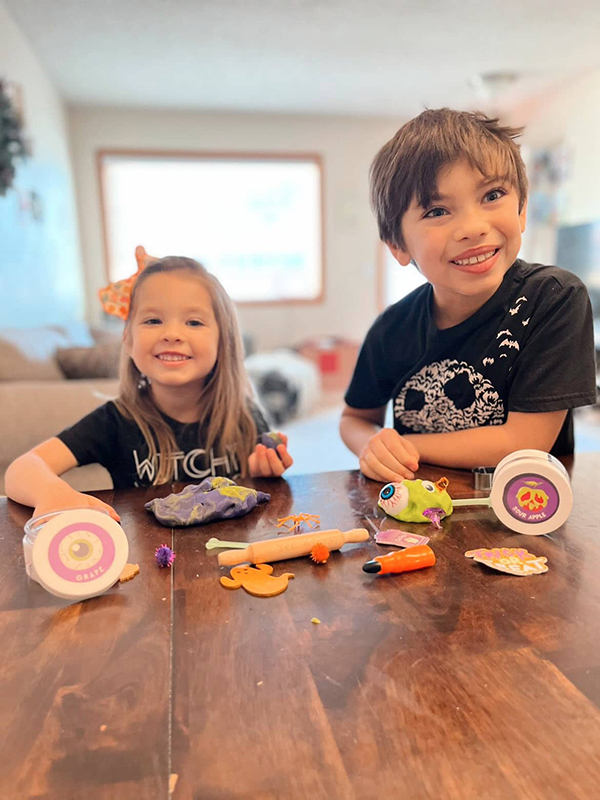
<point>529,348</point>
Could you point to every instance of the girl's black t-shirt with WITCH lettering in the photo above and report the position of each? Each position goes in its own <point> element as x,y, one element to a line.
<point>108,438</point>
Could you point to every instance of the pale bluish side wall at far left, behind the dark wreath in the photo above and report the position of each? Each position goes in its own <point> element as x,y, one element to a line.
<point>42,253</point>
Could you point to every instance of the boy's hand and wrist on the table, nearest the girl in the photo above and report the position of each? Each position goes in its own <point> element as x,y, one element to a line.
<point>383,454</point>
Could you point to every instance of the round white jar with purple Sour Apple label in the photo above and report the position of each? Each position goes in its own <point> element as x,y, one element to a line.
<point>531,492</point>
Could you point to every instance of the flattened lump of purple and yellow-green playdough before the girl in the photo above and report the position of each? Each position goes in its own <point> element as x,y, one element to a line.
<point>213,499</point>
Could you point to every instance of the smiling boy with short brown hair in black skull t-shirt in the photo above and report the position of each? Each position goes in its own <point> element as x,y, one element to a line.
<point>492,354</point>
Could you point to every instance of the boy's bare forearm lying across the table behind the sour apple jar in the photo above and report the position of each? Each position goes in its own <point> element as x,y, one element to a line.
<point>486,446</point>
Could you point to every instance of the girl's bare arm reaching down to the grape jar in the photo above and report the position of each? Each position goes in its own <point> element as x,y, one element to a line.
<point>33,480</point>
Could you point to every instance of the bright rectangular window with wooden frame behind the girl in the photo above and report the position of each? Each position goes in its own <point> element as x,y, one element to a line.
<point>253,221</point>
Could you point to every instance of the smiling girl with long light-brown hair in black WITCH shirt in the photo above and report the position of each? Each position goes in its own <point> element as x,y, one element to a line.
<point>185,407</point>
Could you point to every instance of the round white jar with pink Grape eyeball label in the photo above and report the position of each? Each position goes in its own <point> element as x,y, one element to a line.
<point>75,554</point>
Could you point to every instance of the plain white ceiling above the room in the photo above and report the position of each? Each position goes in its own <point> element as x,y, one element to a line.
<point>309,56</point>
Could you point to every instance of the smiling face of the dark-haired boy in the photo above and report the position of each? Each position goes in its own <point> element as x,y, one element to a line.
<point>465,242</point>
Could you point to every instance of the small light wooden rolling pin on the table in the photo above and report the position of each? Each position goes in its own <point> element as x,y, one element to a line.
<point>291,546</point>
